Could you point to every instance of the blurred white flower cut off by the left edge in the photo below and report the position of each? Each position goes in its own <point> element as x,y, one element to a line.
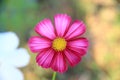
<point>11,57</point>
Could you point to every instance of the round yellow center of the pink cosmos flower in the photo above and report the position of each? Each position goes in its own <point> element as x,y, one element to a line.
<point>59,44</point>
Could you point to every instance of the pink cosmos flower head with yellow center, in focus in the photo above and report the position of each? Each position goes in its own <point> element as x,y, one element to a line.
<point>60,44</point>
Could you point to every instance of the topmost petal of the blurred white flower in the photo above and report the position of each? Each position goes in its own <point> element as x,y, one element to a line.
<point>8,42</point>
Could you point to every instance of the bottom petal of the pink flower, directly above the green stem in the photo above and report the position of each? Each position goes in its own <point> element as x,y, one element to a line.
<point>59,63</point>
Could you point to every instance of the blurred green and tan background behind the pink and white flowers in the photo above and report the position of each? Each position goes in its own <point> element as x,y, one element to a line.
<point>102,18</point>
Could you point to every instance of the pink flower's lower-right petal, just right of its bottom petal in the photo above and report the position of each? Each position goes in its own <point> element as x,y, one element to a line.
<point>72,57</point>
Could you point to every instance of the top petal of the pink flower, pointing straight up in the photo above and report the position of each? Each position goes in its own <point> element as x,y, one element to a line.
<point>62,22</point>
